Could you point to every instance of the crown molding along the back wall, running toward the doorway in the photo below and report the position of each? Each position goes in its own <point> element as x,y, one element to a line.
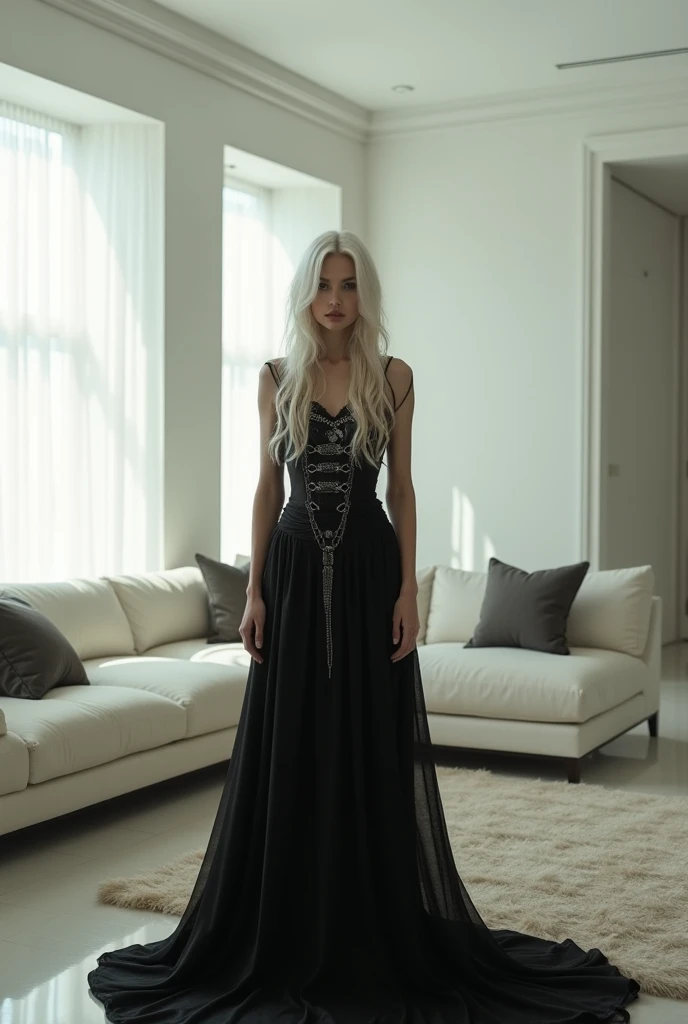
<point>562,102</point>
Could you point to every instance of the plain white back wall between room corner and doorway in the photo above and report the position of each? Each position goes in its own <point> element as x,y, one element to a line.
<point>478,235</point>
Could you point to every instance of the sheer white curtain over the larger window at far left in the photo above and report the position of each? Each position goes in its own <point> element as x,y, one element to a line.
<point>81,348</point>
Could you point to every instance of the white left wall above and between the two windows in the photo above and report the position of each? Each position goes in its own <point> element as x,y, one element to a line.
<point>201,115</point>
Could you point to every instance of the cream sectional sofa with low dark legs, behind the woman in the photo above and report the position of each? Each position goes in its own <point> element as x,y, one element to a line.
<point>162,702</point>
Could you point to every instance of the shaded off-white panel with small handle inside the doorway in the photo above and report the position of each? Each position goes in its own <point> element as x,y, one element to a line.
<point>640,396</point>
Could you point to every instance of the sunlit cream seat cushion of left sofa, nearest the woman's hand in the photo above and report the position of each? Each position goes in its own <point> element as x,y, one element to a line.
<point>210,695</point>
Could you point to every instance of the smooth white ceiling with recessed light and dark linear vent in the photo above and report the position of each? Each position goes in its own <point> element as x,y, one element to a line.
<point>451,51</point>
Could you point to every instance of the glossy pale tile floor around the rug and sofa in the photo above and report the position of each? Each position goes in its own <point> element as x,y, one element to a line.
<point>52,929</point>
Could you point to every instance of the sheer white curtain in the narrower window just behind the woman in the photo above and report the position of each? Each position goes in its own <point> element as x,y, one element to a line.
<point>247,342</point>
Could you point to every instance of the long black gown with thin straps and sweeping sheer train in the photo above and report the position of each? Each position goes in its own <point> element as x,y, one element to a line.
<point>329,891</point>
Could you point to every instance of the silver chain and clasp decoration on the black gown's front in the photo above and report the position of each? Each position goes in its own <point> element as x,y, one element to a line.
<point>330,539</point>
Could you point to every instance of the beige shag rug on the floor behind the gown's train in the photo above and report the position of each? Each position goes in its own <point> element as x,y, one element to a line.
<point>605,868</point>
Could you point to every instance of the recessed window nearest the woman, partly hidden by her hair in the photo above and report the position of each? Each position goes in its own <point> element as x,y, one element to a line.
<point>266,229</point>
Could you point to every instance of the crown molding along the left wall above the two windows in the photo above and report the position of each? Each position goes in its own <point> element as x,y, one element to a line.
<point>180,39</point>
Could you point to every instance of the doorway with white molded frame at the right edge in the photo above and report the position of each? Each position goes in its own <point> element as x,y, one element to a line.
<point>635,429</point>
